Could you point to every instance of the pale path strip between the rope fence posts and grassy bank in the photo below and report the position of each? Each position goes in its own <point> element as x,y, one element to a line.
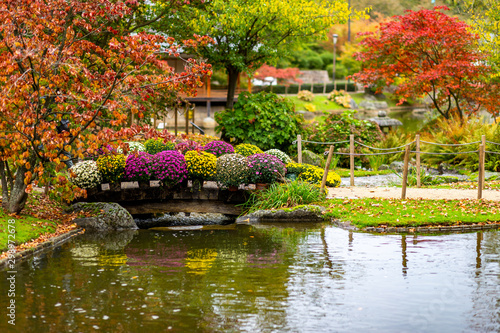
<point>357,192</point>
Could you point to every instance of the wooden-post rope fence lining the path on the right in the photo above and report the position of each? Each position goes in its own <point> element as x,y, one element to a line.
<point>407,151</point>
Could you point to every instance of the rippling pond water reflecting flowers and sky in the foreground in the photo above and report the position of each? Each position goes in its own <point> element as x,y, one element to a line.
<point>260,279</point>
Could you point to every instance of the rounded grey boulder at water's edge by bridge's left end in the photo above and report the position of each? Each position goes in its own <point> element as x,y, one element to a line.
<point>108,216</point>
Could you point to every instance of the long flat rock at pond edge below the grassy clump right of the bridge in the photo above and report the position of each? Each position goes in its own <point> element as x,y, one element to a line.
<point>297,214</point>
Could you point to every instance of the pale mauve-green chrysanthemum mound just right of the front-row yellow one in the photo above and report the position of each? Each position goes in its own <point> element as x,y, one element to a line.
<point>232,170</point>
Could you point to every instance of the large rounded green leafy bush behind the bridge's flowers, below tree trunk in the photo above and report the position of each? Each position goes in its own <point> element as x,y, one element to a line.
<point>264,119</point>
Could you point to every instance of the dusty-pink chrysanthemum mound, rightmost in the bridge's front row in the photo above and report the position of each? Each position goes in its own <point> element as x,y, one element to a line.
<point>265,168</point>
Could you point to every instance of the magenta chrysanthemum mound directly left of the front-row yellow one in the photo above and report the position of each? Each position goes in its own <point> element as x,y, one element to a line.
<point>168,166</point>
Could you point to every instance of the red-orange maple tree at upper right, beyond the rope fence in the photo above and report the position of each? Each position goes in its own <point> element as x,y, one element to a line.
<point>428,53</point>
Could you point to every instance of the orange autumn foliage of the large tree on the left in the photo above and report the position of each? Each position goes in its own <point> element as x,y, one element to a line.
<point>52,71</point>
